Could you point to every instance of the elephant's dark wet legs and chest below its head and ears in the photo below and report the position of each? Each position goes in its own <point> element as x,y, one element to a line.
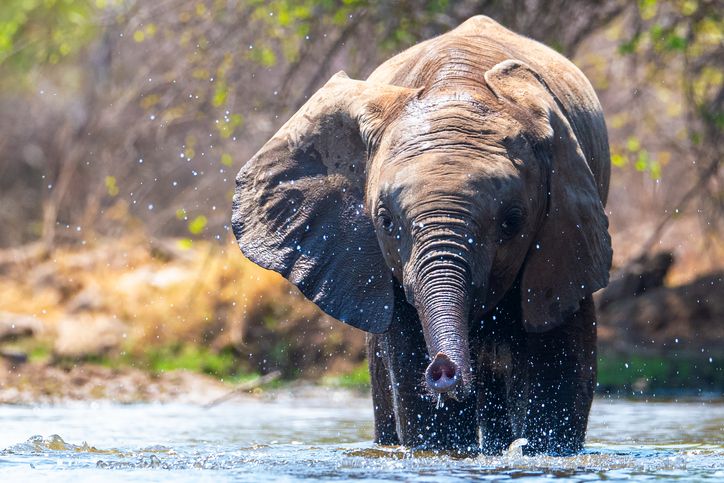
<point>512,366</point>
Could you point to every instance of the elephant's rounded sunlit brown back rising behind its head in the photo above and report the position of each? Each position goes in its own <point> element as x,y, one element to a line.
<point>461,57</point>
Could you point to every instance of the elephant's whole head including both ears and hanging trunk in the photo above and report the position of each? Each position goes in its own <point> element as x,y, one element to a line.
<point>456,195</point>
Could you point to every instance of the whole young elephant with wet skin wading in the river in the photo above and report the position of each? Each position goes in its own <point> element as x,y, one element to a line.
<point>452,206</point>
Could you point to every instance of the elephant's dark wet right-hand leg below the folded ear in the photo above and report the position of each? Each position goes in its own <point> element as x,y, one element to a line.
<point>562,377</point>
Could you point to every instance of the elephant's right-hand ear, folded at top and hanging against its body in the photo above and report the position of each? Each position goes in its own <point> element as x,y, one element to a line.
<point>570,256</point>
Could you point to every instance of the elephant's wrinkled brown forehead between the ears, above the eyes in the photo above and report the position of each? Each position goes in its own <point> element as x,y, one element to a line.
<point>450,146</point>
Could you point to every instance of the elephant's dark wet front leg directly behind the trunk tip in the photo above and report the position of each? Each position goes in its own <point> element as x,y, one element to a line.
<point>420,423</point>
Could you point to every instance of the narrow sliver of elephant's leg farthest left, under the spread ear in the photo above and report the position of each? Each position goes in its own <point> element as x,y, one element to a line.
<point>385,426</point>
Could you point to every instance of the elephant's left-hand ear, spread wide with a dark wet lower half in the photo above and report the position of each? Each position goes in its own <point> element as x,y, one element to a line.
<point>299,204</point>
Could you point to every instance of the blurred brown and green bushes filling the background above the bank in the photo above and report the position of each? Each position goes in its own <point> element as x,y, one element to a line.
<point>126,116</point>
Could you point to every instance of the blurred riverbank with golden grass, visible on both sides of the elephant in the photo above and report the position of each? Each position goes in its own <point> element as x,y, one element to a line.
<point>137,320</point>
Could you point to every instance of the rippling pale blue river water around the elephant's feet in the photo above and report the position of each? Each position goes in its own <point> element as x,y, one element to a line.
<point>327,436</point>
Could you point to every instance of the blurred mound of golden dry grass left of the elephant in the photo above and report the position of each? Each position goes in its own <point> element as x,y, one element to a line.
<point>169,294</point>
